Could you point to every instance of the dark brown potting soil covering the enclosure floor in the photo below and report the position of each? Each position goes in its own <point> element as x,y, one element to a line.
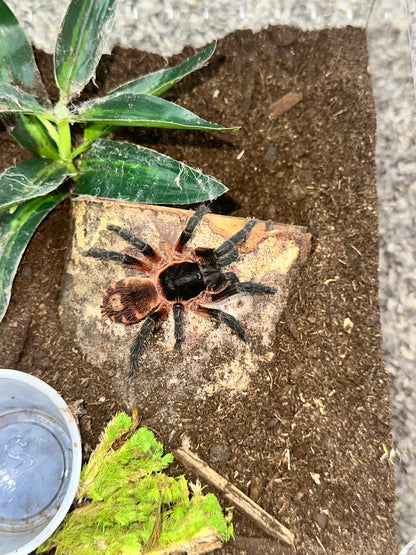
<point>307,439</point>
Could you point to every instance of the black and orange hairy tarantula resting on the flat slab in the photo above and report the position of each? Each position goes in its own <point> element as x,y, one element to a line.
<point>178,282</point>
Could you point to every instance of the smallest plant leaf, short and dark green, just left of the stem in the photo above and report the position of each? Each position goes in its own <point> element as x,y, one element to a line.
<point>30,133</point>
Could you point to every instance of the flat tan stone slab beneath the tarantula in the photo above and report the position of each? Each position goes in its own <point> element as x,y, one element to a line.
<point>212,356</point>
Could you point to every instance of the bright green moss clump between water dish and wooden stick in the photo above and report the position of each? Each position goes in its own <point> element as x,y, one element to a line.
<point>129,506</point>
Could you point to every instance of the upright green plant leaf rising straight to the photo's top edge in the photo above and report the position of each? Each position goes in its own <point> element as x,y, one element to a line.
<point>80,43</point>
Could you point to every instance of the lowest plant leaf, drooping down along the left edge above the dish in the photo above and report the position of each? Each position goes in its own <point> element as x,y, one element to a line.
<point>16,229</point>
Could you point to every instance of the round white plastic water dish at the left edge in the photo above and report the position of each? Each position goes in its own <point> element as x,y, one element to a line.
<point>40,461</point>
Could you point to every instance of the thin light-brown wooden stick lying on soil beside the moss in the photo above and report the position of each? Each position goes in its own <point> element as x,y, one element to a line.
<point>264,520</point>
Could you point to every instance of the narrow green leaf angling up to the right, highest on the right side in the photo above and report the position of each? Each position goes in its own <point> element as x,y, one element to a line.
<point>158,82</point>
